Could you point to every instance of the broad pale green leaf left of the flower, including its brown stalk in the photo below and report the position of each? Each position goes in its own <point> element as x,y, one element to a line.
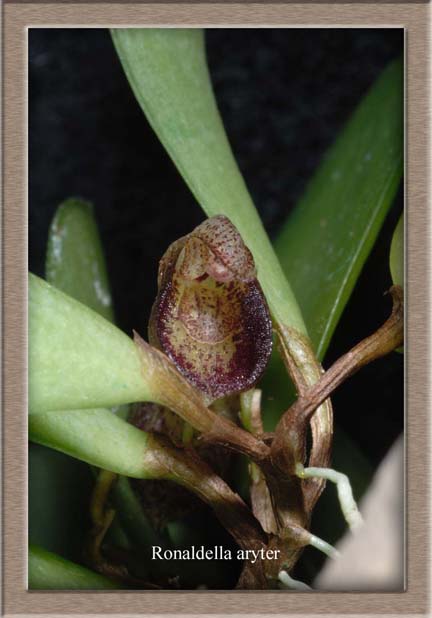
<point>79,360</point>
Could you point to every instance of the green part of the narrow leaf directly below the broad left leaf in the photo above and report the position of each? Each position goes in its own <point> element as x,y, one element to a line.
<point>96,436</point>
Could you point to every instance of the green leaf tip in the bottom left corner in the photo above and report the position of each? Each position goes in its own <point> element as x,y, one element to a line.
<point>48,571</point>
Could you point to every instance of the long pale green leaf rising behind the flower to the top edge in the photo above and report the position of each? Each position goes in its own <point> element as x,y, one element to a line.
<point>168,73</point>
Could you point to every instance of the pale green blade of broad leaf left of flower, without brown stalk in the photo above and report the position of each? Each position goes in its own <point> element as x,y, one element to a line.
<point>77,359</point>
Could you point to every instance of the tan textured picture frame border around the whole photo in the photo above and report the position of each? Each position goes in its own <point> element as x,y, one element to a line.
<point>415,18</point>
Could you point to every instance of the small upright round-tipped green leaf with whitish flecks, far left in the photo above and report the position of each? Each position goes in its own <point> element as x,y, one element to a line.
<point>75,262</point>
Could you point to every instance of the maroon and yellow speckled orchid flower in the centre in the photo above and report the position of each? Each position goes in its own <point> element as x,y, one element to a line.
<point>210,316</point>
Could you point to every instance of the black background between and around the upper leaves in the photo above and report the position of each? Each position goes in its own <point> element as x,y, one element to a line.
<point>284,95</point>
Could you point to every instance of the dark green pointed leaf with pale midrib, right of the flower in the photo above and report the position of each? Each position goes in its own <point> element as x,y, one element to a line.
<point>326,240</point>
